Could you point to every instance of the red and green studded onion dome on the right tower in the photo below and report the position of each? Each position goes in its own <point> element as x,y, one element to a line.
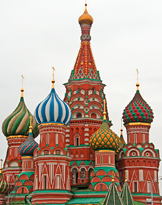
<point>137,111</point>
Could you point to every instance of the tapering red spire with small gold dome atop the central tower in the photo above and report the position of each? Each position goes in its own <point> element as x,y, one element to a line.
<point>85,67</point>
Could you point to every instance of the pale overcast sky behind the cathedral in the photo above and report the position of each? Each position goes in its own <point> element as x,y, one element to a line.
<point>126,35</point>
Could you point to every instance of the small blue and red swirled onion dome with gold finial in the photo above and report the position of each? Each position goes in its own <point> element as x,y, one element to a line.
<point>27,148</point>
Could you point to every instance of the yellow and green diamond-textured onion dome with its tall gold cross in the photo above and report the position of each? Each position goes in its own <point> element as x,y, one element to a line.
<point>105,138</point>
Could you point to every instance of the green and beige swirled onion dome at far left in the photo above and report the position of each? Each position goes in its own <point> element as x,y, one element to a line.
<point>17,123</point>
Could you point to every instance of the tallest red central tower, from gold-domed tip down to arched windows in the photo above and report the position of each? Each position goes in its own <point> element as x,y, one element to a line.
<point>84,95</point>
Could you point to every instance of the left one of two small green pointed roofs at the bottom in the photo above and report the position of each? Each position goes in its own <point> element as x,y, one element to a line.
<point>113,197</point>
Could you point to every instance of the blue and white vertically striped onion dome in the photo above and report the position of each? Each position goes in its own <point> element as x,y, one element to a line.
<point>52,110</point>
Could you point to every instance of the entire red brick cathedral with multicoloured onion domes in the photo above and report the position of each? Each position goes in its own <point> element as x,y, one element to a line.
<point>79,159</point>
